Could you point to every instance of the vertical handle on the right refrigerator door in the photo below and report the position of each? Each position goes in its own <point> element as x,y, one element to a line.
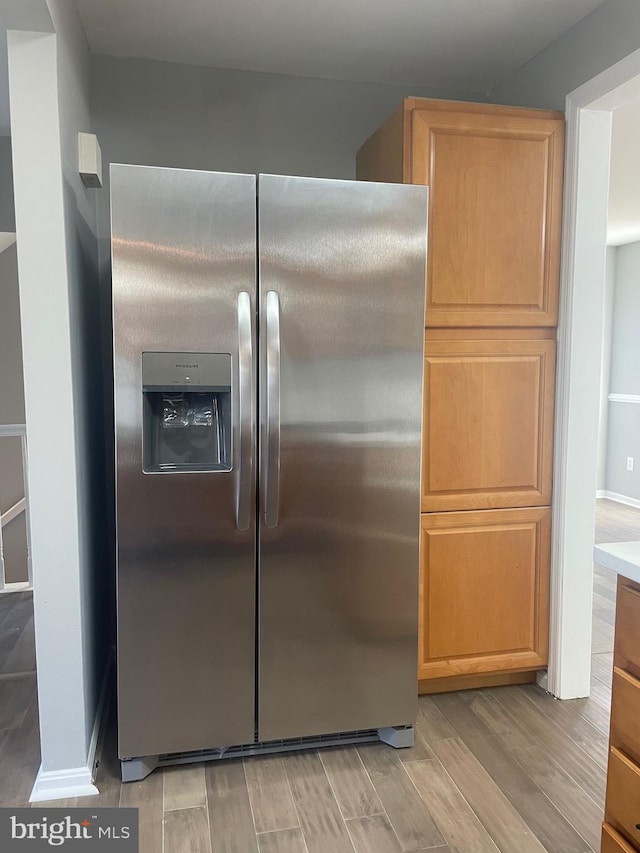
<point>272,456</point>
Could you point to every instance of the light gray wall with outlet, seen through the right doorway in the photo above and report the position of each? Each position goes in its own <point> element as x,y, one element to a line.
<point>624,418</point>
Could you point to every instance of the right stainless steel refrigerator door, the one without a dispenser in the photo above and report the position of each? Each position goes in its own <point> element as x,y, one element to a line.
<point>339,567</point>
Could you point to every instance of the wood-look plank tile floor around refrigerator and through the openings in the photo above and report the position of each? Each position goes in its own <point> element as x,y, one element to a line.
<point>508,769</point>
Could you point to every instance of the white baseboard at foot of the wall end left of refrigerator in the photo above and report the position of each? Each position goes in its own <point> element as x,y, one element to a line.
<point>75,781</point>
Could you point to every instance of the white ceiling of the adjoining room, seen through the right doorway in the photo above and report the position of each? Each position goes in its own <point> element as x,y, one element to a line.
<point>624,183</point>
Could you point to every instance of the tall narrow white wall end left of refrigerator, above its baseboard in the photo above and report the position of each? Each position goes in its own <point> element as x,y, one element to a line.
<point>44,307</point>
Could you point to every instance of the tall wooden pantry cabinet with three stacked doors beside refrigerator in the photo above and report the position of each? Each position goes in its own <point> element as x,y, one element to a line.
<point>495,195</point>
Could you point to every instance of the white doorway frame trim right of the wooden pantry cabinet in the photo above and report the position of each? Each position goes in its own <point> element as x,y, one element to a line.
<point>583,317</point>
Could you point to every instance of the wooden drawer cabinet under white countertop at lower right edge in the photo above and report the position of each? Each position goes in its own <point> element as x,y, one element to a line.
<point>621,830</point>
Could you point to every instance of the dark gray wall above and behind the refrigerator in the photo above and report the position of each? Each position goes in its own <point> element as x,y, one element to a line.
<point>193,117</point>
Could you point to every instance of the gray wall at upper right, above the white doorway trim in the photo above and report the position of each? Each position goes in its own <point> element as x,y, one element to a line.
<point>608,34</point>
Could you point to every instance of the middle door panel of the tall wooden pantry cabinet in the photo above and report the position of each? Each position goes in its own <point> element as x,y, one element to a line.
<point>488,424</point>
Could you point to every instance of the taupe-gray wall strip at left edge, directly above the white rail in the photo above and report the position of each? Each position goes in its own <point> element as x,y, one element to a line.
<point>11,385</point>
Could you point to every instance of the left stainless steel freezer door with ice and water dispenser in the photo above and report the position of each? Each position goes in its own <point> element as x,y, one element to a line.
<point>183,248</point>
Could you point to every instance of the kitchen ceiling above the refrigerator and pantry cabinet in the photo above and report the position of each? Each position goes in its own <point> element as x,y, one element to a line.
<point>467,45</point>
